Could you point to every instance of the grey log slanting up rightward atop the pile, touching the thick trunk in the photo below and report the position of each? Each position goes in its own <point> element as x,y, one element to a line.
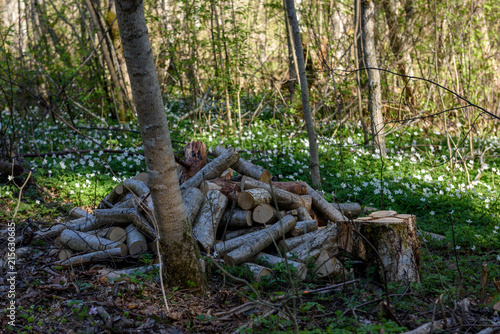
<point>213,169</point>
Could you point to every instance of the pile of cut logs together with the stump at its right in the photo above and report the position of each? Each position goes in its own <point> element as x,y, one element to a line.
<point>239,215</point>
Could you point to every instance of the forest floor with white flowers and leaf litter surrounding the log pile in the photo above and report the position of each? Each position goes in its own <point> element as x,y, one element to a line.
<point>456,197</point>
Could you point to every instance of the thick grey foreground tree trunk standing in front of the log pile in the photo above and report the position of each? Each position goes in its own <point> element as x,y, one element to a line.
<point>177,245</point>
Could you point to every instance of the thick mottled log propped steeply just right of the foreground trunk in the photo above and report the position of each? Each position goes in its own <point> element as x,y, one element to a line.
<point>206,223</point>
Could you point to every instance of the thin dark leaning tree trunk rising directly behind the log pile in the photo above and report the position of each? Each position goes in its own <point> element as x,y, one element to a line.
<point>304,91</point>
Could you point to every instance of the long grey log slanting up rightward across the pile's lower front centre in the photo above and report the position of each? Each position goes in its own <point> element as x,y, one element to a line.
<point>266,238</point>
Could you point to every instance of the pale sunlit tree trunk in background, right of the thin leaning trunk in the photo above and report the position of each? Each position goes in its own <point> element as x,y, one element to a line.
<point>370,56</point>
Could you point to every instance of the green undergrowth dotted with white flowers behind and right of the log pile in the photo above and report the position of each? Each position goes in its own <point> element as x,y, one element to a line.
<point>452,191</point>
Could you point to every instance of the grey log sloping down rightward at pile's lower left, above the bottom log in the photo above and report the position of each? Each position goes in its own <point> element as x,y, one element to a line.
<point>81,241</point>
